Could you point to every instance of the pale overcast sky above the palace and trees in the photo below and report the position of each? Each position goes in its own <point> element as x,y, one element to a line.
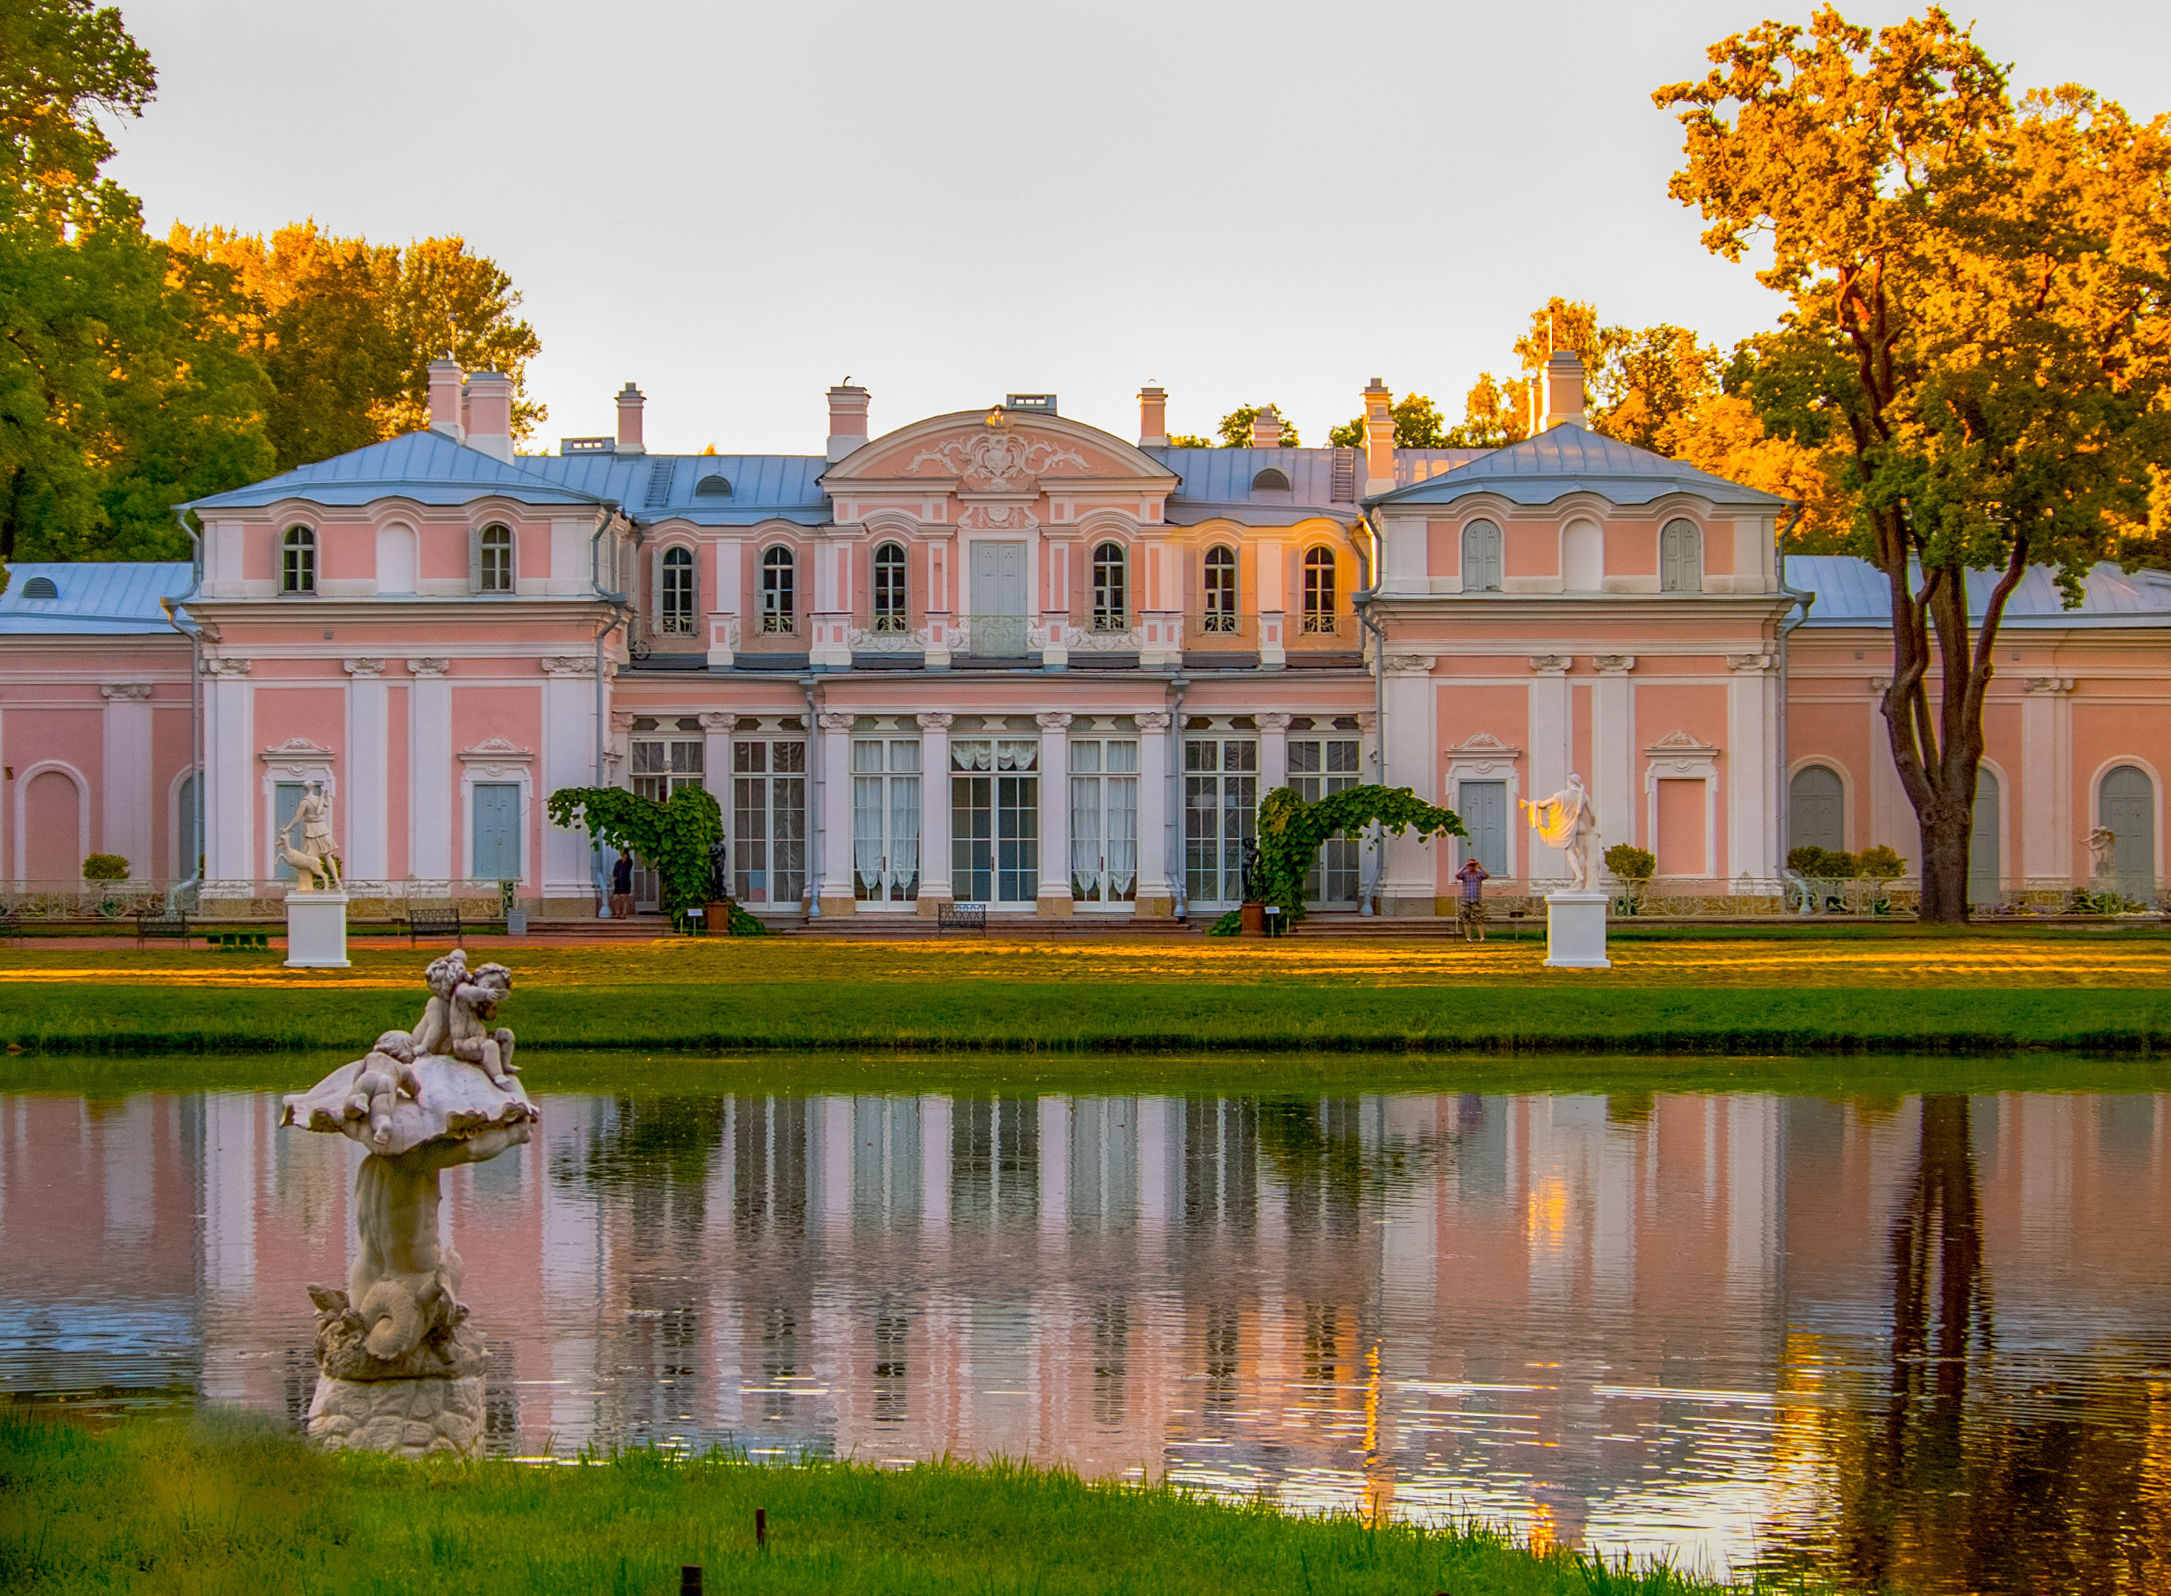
<point>739,205</point>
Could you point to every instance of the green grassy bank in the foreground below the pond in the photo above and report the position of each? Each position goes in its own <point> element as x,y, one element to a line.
<point>231,1504</point>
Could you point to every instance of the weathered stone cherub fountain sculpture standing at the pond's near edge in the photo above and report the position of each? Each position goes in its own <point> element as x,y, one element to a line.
<point>398,1365</point>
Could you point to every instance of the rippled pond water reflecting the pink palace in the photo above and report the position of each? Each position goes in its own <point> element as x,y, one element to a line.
<point>1914,1341</point>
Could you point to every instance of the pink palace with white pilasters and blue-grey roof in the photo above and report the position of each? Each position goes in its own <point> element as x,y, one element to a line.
<point>1008,657</point>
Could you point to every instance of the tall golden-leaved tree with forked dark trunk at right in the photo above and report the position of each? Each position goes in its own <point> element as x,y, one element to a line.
<point>1979,322</point>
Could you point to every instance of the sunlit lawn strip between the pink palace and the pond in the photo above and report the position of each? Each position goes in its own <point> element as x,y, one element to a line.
<point>1842,996</point>
